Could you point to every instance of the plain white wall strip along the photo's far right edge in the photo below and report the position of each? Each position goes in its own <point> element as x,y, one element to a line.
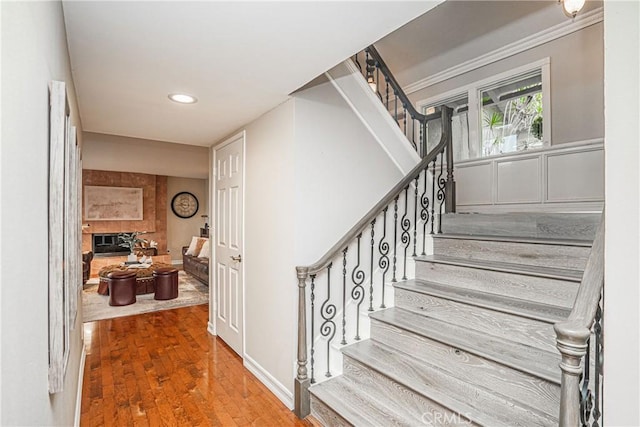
<point>622,239</point>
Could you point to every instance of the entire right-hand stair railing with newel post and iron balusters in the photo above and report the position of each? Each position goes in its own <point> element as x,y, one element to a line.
<point>579,340</point>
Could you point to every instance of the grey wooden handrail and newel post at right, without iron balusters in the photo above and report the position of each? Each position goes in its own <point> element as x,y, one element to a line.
<point>572,335</point>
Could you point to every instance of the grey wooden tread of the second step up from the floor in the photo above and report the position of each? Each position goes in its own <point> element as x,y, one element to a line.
<point>476,403</point>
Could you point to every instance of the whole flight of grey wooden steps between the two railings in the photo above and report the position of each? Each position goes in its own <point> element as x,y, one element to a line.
<point>470,340</point>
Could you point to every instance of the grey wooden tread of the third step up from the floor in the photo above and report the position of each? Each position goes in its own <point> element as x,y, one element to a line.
<point>534,361</point>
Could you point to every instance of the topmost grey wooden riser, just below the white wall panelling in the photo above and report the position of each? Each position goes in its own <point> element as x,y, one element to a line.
<point>549,226</point>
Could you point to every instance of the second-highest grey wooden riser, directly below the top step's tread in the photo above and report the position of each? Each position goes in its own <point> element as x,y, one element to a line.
<point>542,255</point>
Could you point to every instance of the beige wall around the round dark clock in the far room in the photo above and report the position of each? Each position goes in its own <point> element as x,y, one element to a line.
<point>180,230</point>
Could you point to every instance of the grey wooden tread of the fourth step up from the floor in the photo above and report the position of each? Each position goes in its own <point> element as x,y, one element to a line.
<point>520,307</point>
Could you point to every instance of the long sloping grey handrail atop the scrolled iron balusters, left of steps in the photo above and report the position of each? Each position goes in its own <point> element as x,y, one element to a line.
<point>388,198</point>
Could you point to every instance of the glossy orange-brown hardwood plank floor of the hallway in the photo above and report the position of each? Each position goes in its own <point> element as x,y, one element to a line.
<point>164,368</point>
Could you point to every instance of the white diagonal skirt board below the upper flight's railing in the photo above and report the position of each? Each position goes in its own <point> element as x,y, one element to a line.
<point>351,85</point>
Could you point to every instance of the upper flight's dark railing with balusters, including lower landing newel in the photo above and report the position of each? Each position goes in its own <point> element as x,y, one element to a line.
<point>410,121</point>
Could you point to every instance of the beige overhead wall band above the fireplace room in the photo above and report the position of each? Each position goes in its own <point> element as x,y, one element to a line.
<point>124,154</point>
